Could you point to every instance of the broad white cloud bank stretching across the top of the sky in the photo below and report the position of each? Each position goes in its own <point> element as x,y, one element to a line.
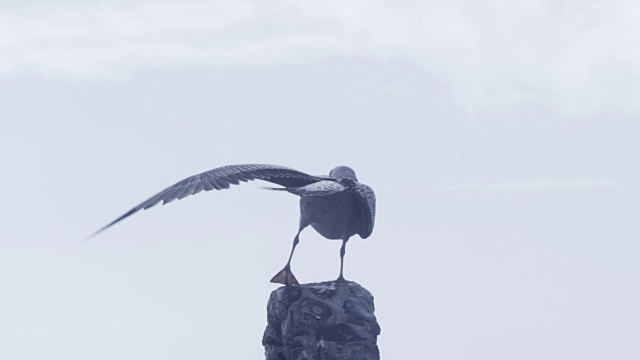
<point>567,59</point>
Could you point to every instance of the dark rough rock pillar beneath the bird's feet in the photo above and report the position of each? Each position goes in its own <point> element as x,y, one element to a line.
<point>321,321</point>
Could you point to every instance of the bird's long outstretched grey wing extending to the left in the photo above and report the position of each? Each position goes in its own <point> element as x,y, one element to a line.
<point>222,178</point>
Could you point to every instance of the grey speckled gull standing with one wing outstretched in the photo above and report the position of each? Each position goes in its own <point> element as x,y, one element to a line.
<point>337,206</point>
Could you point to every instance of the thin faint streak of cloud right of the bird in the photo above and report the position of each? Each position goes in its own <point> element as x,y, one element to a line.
<point>538,184</point>
